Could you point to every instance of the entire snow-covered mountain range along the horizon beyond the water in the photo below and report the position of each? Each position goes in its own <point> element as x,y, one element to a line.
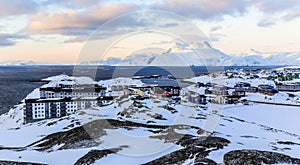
<point>197,54</point>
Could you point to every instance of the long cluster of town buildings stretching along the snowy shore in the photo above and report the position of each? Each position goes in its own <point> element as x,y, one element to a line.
<point>67,95</point>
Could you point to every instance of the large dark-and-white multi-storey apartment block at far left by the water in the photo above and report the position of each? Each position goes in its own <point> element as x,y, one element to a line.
<point>61,97</point>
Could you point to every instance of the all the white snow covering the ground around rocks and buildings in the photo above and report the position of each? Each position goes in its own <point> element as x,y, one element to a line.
<point>256,126</point>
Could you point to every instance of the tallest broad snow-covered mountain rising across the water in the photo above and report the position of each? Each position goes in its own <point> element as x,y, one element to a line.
<point>178,55</point>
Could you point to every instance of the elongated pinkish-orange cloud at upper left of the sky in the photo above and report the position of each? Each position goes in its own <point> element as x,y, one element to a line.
<point>72,21</point>
